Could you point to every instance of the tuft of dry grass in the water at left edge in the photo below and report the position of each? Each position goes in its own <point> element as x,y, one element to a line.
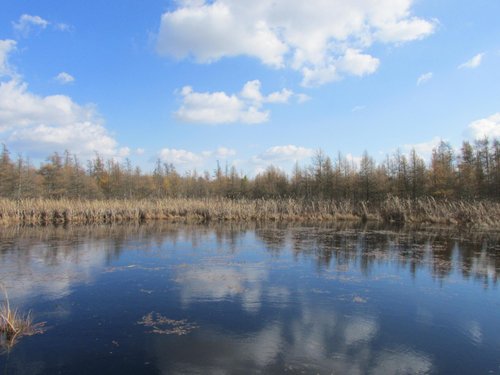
<point>14,325</point>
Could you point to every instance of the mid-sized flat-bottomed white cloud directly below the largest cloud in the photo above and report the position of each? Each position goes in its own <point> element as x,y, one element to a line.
<point>221,108</point>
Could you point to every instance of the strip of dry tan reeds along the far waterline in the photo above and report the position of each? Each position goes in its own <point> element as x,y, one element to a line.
<point>391,210</point>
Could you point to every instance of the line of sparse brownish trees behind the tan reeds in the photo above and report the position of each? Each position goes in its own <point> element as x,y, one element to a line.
<point>473,172</point>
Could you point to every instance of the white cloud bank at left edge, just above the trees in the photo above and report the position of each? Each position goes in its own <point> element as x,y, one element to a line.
<point>43,124</point>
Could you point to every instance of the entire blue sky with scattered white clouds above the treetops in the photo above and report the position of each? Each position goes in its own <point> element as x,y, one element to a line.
<point>246,83</point>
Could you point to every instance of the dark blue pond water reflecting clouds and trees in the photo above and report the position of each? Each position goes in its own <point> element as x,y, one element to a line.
<point>171,298</point>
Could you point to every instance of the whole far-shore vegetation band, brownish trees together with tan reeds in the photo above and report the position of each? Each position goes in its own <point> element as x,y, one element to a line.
<point>454,188</point>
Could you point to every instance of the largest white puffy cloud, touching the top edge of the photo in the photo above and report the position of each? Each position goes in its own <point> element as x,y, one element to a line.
<point>324,40</point>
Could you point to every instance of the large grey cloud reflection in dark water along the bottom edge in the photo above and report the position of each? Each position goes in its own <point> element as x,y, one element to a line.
<point>317,341</point>
